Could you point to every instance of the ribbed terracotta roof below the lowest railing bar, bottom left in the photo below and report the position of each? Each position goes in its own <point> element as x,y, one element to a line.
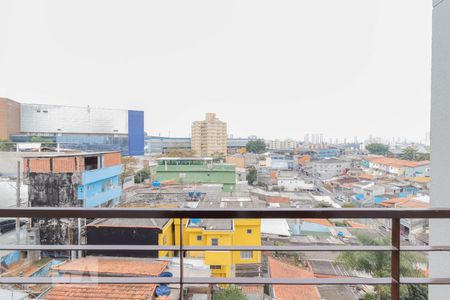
<point>101,291</point>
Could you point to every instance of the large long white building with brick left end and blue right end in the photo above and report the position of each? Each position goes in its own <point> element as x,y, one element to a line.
<point>79,128</point>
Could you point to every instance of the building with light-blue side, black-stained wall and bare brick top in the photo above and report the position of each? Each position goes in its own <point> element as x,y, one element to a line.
<point>80,180</point>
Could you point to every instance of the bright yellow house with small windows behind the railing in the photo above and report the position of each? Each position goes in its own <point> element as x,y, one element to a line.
<point>222,232</point>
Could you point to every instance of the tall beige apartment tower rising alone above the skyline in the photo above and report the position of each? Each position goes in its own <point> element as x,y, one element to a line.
<point>209,137</point>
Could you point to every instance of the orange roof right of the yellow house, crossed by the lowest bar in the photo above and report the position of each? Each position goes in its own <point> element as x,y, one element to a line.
<point>279,269</point>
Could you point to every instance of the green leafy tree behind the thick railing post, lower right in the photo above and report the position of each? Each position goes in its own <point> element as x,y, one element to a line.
<point>378,264</point>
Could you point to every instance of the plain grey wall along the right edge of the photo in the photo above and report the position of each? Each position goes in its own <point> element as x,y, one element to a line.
<point>440,143</point>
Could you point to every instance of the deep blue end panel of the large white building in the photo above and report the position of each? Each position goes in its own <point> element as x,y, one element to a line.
<point>135,132</point>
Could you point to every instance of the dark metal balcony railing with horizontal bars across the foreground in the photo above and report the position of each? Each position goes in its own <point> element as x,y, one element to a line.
<point>395,248</point>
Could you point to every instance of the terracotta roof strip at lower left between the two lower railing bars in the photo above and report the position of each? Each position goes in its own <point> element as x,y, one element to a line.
<point>113,266</point>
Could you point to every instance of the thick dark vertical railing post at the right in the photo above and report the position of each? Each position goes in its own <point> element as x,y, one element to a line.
<point>395,259</point>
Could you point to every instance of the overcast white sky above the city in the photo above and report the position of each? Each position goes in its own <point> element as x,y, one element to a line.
<point>275,69</point>
